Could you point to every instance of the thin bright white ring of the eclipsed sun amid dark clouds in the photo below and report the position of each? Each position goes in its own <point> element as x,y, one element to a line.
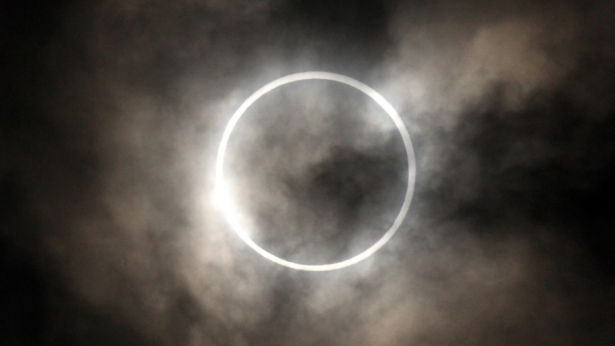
<point>222,194</point>
